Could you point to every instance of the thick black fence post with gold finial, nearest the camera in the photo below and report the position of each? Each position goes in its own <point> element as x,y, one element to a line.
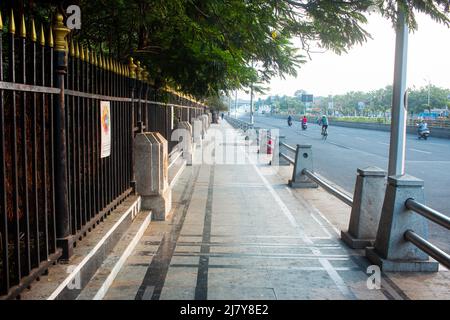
<point>61,200</point>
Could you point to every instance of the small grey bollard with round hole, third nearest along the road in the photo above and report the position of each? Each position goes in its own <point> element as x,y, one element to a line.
<point>303,160</point>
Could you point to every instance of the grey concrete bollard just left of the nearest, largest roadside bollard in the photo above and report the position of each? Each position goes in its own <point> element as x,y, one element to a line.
<point>368,197</point>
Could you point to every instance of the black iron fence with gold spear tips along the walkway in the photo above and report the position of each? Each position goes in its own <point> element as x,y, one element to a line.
<point>54,184</point>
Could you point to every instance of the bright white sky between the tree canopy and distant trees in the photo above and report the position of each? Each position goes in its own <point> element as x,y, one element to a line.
<point>371,65</point>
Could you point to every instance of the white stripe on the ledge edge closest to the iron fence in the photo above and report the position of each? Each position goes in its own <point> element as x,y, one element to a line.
<point>77,269</point>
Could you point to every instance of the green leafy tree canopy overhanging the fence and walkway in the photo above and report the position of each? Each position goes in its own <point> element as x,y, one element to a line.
<point>207,47</point>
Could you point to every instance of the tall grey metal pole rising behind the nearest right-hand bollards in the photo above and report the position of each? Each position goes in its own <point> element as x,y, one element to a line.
<point>399,100</point>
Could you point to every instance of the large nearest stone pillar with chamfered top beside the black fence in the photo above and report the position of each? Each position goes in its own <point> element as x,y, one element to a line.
<point>152,174</point>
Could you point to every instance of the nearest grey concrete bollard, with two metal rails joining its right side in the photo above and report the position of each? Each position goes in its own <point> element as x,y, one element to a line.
<point>391,251</point>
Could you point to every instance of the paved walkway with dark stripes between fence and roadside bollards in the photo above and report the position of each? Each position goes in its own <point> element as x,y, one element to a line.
<point>238,232</point>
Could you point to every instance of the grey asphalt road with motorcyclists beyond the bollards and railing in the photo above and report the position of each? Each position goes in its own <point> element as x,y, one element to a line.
<point>347,149</point>
